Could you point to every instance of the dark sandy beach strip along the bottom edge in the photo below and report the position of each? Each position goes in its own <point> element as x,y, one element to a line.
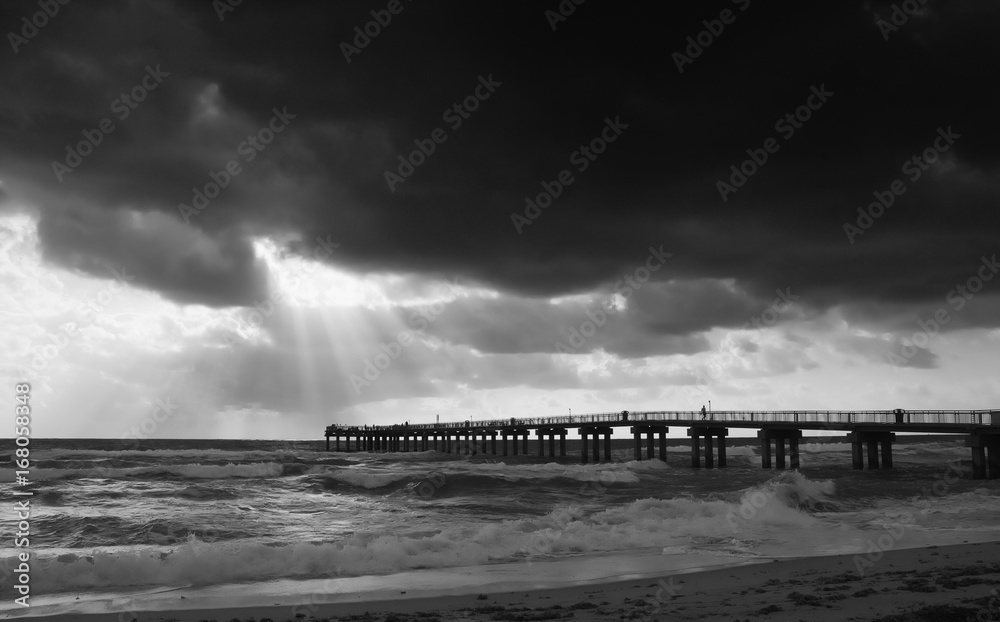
<point>939,584</point>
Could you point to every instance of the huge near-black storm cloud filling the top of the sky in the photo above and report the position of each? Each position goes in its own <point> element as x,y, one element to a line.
<point>656,184</point>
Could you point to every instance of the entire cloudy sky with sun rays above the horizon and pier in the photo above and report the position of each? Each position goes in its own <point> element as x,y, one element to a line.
<point>251,221</point>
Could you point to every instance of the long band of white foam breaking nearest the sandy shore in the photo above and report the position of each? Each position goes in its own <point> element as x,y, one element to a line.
<point>567,530</point>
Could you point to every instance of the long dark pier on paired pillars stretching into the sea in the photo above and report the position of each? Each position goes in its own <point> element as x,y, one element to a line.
<point>869,432</point>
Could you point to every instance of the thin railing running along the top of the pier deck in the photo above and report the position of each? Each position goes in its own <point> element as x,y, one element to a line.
<point>846,417</point>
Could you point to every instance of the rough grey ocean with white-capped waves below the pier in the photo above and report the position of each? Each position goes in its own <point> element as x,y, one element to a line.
<point>110,518</point>
